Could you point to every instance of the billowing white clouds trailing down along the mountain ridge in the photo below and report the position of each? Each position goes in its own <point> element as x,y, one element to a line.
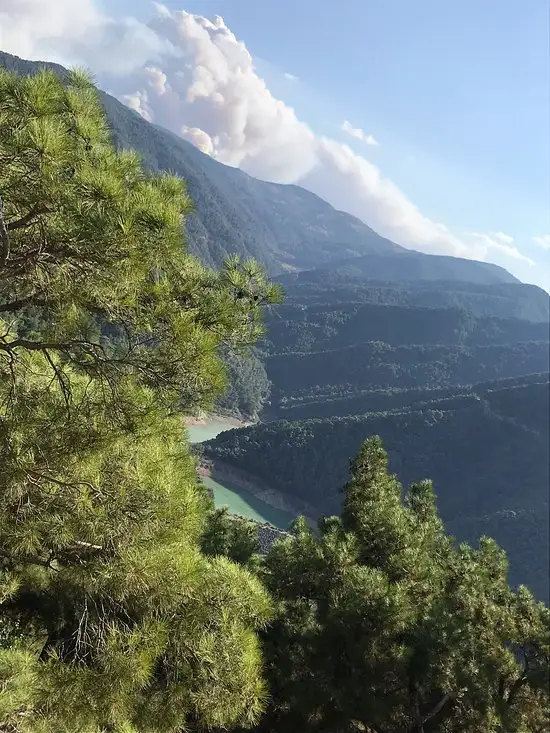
<point>193,76</point>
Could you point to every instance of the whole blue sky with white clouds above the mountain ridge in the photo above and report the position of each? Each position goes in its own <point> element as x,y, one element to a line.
<point>428,120</point>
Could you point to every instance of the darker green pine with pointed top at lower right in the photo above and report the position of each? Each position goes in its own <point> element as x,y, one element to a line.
<point>384,625</point>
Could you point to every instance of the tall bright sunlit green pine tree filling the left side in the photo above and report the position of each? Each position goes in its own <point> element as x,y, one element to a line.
<point>111,619</point>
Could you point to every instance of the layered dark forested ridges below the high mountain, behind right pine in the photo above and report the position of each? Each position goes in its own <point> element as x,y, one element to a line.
<point>458,393</point>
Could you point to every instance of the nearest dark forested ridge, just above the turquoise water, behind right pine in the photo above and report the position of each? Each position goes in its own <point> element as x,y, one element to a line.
<point>487,452</point>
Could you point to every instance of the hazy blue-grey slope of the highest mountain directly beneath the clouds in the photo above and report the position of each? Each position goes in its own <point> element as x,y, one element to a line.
<point>283,227</point>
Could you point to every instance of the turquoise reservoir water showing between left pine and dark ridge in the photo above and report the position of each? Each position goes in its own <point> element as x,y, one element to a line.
<point>237,500</point>
